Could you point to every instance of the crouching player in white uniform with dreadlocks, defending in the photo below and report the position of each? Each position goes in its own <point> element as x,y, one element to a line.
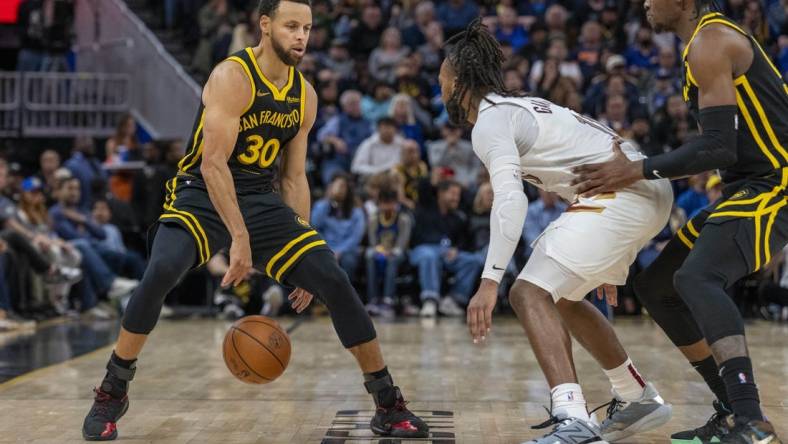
<point>591,245</point>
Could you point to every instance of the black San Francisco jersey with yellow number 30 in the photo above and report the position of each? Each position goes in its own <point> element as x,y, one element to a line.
<point>271,119</point>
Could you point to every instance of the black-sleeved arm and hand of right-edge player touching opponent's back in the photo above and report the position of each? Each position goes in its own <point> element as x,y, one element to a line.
<point>712,58</point>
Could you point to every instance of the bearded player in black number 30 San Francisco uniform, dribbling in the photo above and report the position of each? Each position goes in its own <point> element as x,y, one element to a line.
<point>256,108</point>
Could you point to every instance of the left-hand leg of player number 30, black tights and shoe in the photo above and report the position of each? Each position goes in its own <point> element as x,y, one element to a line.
<point>172,255</point>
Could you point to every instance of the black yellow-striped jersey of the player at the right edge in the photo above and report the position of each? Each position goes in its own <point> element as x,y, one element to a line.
<point>762,100</point>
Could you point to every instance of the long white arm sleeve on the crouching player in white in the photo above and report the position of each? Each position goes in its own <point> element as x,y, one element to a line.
<point>493,142</point>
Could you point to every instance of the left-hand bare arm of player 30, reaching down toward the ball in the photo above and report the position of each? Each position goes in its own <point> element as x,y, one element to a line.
<point>226,95</point>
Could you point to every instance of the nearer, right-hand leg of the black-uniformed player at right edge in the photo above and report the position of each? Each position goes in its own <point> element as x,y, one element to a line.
<point>726,251</point>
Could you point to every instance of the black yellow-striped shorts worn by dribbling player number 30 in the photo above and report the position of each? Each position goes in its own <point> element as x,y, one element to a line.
<point>279,238</point>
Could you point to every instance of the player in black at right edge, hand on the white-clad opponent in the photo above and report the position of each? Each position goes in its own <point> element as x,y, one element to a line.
<point>741,104</point>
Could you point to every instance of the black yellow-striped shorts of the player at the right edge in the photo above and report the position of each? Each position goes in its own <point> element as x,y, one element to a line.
<point>754,213</point>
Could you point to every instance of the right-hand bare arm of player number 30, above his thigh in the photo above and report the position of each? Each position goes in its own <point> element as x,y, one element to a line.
<point>295,187</point>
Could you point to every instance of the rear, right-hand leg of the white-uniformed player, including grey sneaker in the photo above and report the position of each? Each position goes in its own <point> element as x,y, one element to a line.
<point>636,406</point>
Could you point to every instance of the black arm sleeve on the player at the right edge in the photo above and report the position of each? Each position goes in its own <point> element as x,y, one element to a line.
<point>715,148</point>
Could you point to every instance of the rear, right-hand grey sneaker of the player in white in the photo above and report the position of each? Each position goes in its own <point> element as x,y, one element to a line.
<point>627,418</point>
